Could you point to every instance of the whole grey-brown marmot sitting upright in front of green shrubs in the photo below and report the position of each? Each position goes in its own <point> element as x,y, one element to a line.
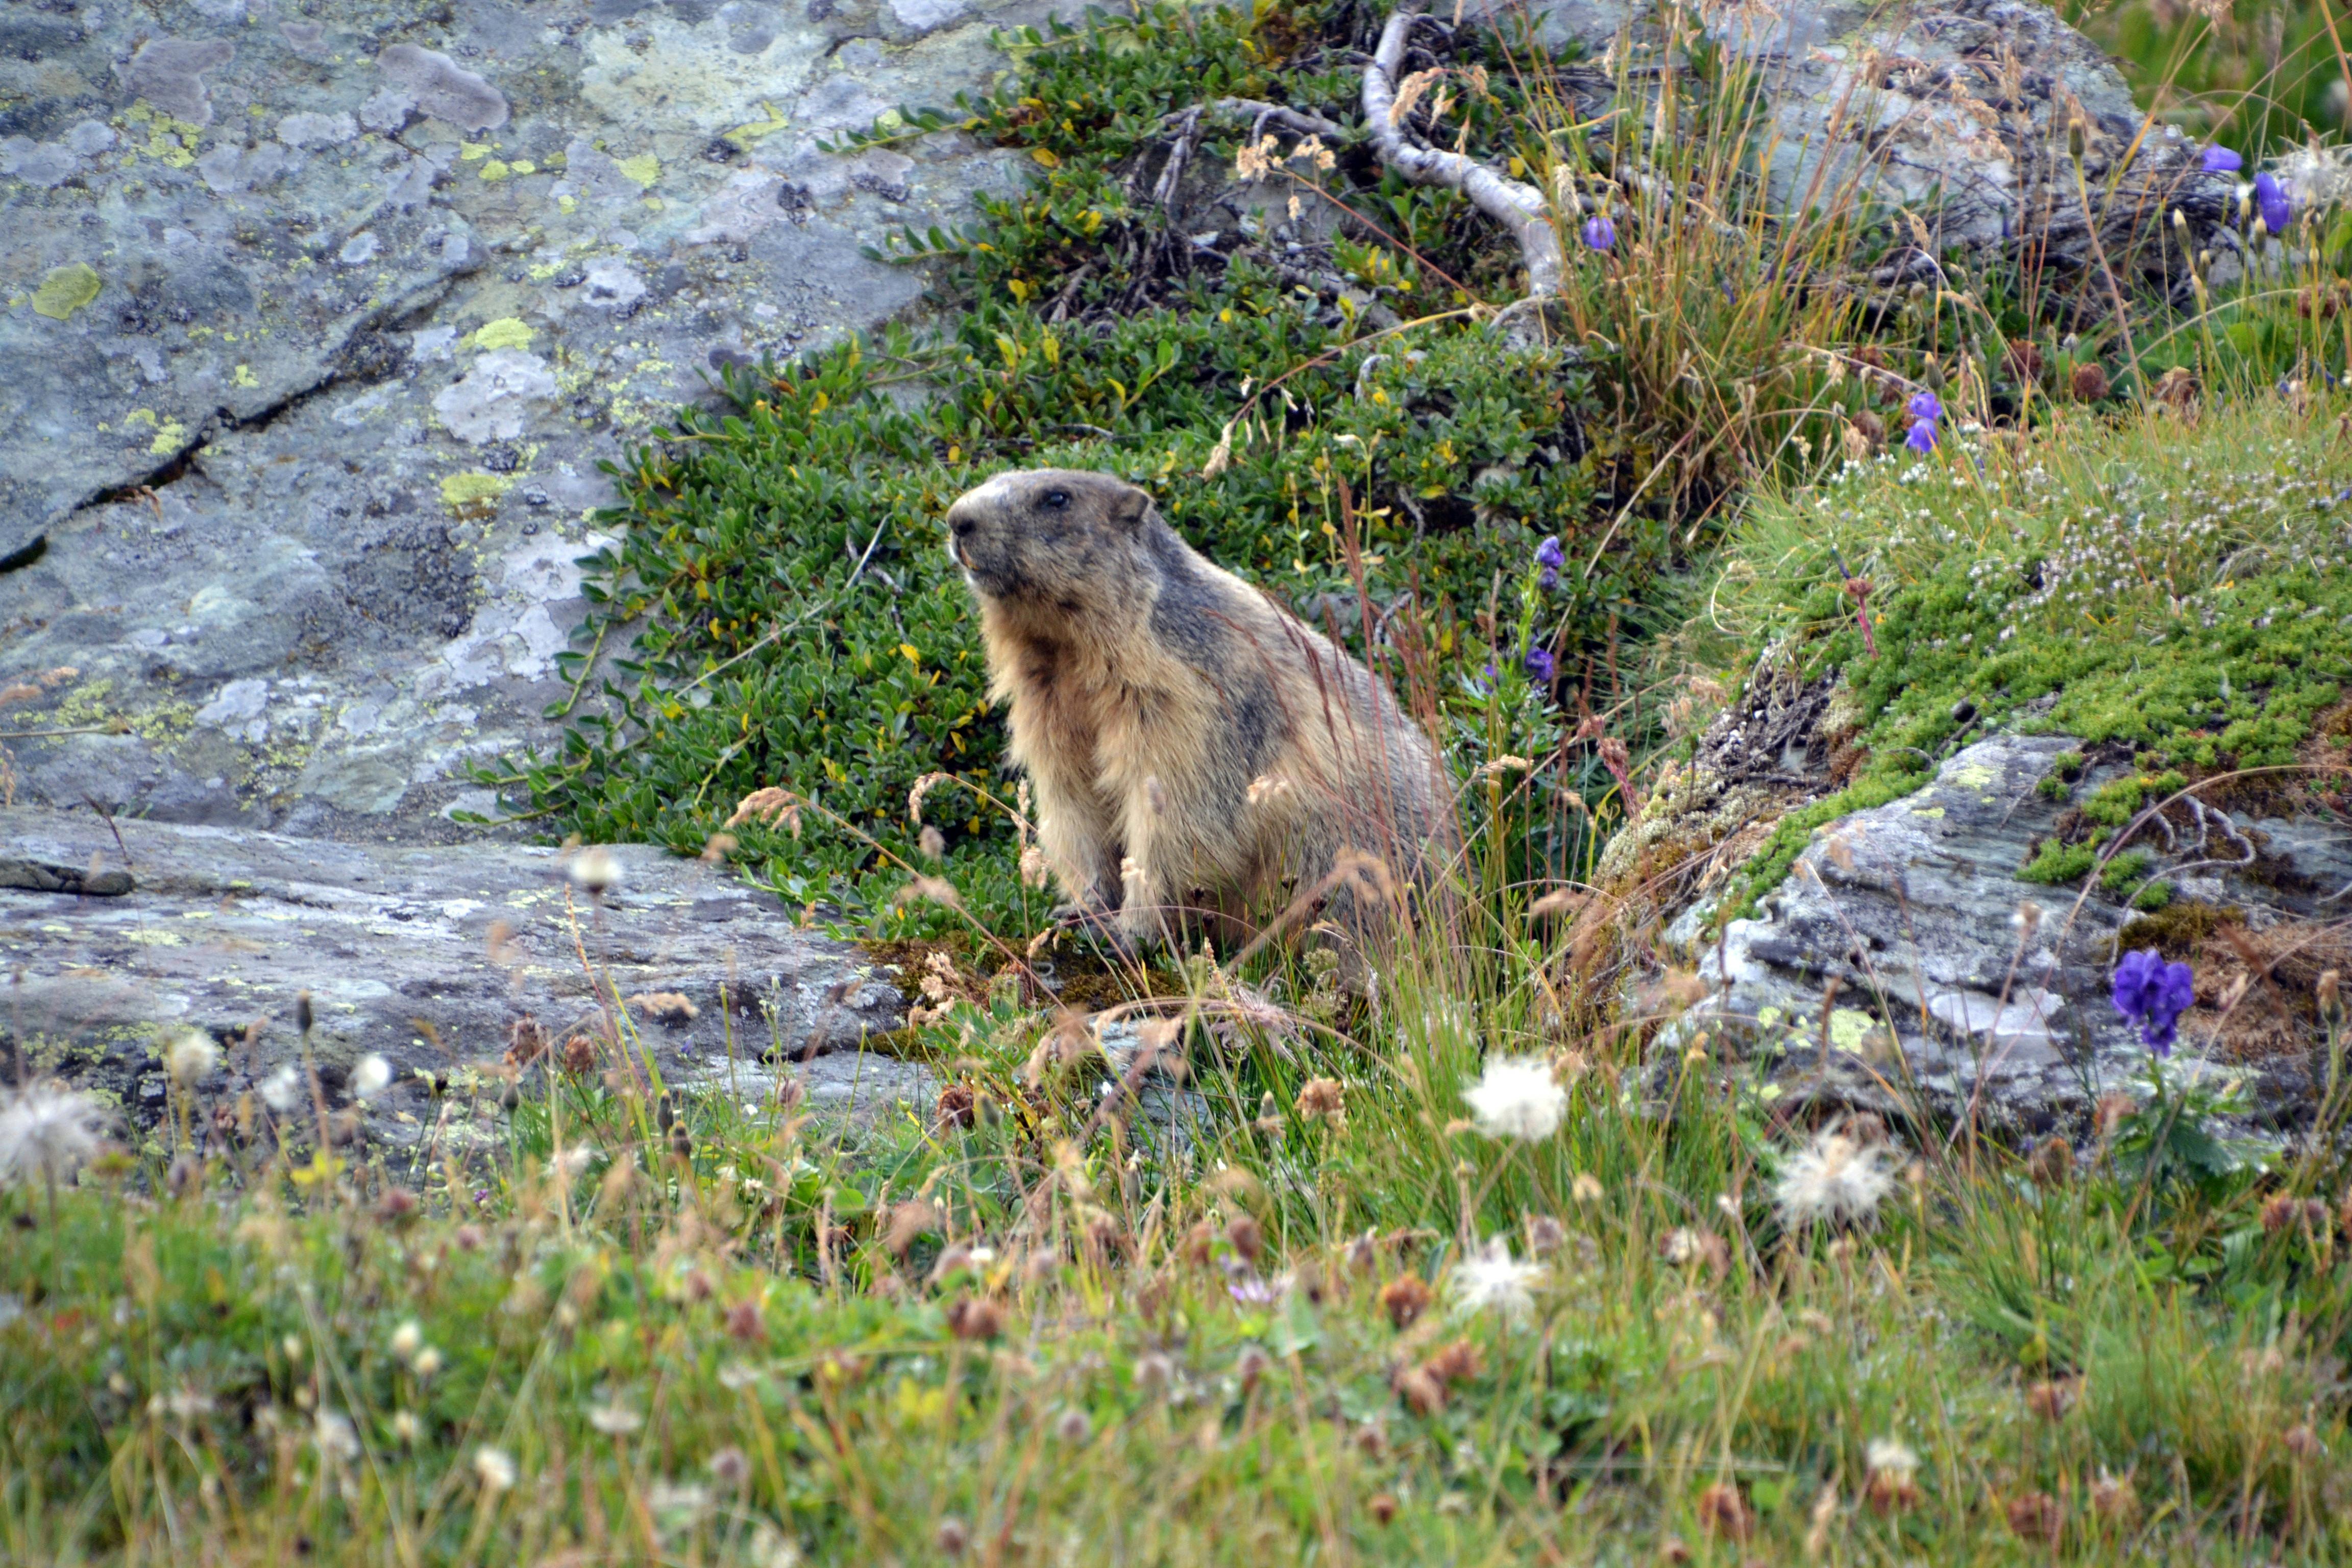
<point>1191,746</point>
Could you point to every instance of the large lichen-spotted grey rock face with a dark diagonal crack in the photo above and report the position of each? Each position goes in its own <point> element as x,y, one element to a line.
<point>321,321</point>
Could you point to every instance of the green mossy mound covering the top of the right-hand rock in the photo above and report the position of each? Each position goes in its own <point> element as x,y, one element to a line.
<point>2172,584</point>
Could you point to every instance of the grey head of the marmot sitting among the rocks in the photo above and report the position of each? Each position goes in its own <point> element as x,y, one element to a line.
<point>1050,535</point>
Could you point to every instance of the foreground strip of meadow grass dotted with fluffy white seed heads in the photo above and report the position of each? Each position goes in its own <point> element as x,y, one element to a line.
<point>1394,1306</point>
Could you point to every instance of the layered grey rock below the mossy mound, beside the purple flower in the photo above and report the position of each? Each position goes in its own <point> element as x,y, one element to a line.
<point>1963,986</point>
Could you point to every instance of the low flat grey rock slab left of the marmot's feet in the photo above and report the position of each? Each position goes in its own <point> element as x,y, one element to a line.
<point>425,956</point>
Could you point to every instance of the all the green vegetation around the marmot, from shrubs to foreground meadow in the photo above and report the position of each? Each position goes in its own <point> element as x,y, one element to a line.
<point>1241,1257</point>
